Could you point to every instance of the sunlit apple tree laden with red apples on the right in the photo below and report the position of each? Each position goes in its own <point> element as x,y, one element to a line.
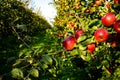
<point>90,35</point>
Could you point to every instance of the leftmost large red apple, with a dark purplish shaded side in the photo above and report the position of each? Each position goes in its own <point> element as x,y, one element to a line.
<point>69,42</point>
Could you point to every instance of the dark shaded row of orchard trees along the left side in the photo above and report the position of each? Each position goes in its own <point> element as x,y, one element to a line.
<point>18,26</point>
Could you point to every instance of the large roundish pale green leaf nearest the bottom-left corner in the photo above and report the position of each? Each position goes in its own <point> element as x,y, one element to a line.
<point>17,73</point>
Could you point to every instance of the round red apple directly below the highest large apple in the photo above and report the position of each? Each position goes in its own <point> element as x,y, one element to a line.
<point>101,35</point>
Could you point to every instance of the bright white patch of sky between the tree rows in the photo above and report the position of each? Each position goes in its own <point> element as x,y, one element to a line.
<point>47,9</point>
